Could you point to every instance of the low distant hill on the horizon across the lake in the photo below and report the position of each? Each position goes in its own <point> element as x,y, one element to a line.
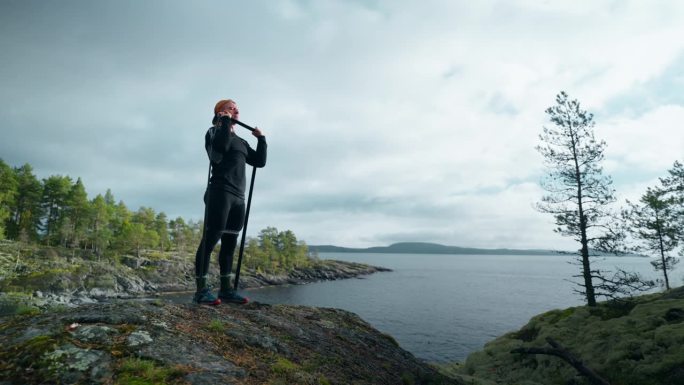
<point>428,248</point>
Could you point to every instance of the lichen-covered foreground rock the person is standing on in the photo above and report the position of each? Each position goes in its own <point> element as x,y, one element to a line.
<point>155,342</point>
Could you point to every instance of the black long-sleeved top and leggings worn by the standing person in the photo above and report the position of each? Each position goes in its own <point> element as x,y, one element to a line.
<point>225,197</point>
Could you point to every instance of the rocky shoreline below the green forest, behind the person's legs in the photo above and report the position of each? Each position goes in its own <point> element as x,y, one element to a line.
<point>42,277</point>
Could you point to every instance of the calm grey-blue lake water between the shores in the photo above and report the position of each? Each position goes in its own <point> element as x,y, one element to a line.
<point>443,307</point>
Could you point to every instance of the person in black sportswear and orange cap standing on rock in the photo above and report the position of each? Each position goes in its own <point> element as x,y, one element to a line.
<point>225,199</point>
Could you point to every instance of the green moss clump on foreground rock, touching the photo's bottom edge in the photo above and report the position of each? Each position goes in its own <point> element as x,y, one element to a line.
<point>136,371</point>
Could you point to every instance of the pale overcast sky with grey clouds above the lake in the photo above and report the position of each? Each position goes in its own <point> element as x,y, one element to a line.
<point>386,120</point>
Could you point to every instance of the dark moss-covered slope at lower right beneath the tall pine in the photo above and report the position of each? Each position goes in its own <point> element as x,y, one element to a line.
<point>638,341</point>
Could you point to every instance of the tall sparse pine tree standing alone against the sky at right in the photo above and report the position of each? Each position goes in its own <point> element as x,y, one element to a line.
<point>578,192</point>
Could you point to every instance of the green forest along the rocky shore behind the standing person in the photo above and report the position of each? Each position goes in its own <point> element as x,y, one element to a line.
<point>56,211</point>
